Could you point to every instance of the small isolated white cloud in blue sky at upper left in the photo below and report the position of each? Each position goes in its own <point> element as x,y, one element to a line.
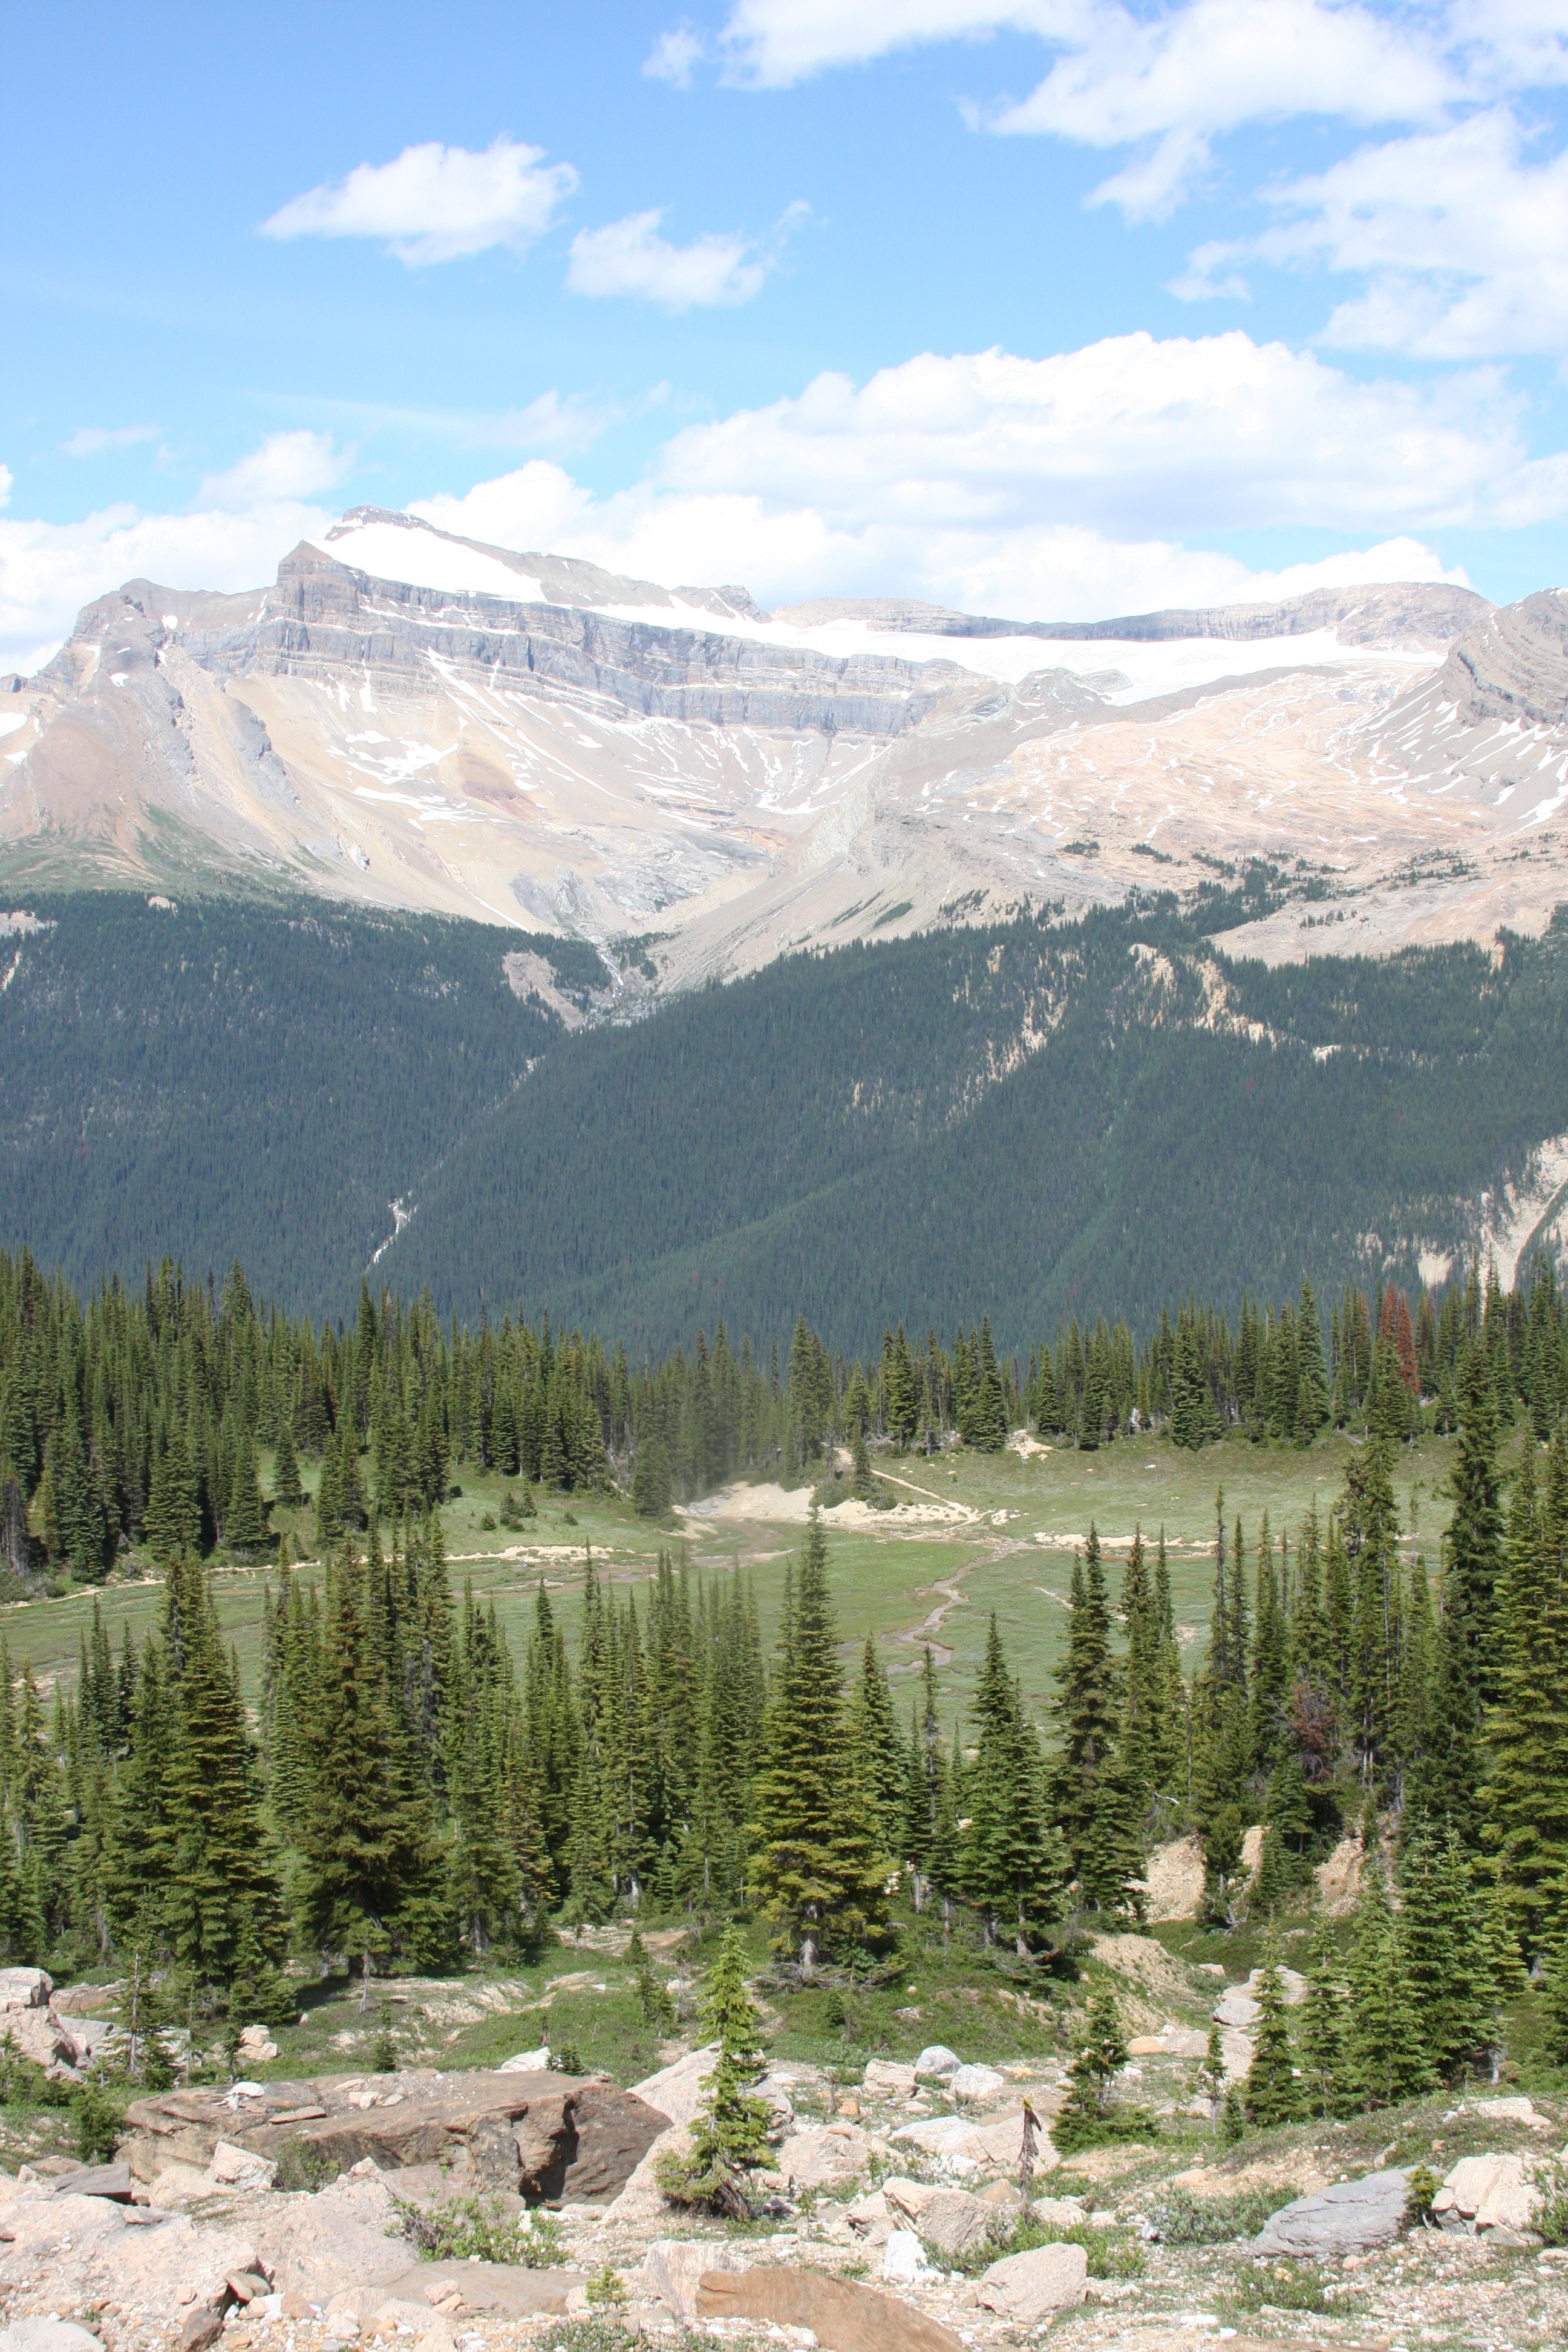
<point>436,203</point>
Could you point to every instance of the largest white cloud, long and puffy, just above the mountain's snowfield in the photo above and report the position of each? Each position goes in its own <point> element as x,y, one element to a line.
<point>1047,488</point>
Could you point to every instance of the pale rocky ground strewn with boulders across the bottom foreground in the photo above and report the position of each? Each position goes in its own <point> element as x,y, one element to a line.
<point>890,2212</point>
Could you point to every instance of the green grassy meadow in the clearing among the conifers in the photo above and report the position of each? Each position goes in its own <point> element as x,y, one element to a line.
<point>885,1577</point>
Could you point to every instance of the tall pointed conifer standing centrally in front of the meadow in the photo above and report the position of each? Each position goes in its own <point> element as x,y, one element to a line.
<point>817,1862</point>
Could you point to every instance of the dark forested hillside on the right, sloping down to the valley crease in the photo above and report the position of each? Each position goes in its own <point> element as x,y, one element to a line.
<point>866,1135</point>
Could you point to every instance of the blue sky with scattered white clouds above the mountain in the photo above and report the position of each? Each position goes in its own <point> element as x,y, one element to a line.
<point>1050,307</point>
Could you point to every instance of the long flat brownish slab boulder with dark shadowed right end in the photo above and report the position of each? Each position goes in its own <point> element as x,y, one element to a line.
<point>542,2137</point>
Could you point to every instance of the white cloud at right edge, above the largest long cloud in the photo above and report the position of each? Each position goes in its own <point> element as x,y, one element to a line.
<point>1461,236</point>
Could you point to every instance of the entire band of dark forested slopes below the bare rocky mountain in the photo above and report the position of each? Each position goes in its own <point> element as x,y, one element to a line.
<point>1033,1121</point>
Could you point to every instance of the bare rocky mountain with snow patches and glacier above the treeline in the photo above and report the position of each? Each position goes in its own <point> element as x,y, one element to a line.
<point>422,721</point>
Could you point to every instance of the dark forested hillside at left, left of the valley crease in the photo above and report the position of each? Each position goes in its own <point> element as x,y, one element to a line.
<point>229,1078</point>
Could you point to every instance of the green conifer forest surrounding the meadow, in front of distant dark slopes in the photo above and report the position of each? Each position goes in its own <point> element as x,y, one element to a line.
<point>403,1784</point>
